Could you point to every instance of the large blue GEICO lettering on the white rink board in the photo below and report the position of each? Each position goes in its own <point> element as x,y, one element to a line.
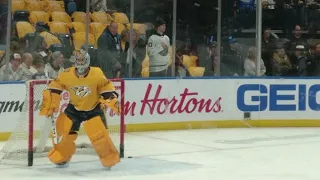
<point>277,97</point>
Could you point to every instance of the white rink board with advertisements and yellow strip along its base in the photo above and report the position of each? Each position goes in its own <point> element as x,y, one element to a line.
<point>168,104</point>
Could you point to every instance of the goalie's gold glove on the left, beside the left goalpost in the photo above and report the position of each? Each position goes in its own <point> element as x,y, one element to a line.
<point>50,103</point>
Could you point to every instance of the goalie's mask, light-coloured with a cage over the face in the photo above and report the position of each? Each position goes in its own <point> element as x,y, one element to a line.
<point>82,62</point>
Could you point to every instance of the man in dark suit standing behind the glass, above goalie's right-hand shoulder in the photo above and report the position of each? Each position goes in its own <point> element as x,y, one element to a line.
<point>109,51</point>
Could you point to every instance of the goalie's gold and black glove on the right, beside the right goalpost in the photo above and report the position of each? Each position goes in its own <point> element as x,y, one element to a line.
<point>111,100</point>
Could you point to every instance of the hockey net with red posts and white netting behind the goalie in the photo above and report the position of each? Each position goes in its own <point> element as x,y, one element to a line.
<point>32,136</point>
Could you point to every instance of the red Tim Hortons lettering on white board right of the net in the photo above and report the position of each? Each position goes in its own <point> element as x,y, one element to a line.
<point>186,102</point>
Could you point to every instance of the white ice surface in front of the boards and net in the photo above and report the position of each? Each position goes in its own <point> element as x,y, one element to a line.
<point>211,154</point>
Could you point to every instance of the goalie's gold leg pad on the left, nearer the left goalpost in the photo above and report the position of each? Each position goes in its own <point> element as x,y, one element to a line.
<point>65,148</point>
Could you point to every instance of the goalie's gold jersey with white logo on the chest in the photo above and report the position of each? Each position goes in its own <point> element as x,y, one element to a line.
<point>86,91</point>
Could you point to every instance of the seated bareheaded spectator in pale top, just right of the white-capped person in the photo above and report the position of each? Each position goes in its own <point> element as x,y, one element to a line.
<point>26,66</point>
